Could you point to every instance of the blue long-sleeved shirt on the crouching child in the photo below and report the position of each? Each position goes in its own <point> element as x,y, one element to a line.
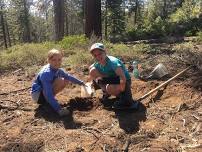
<point>44,82</point>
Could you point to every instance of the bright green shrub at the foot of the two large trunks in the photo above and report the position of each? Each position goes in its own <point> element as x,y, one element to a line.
<point>70,42</point>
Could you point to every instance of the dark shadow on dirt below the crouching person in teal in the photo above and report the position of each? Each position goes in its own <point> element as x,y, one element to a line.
<point>129,119</point>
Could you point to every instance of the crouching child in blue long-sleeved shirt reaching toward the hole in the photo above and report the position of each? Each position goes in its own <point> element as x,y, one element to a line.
<point>51,80</point>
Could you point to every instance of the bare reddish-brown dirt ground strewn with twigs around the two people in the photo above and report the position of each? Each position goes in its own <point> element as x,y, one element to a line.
<point>168,120</point>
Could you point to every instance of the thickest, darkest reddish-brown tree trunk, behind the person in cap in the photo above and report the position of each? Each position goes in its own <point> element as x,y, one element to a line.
<point>93,18</point>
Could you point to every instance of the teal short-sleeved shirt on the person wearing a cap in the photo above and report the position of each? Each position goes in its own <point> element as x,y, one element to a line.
<point>110,67</point>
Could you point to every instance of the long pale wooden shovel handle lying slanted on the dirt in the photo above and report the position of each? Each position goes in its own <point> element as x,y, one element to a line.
<point>163,84</point>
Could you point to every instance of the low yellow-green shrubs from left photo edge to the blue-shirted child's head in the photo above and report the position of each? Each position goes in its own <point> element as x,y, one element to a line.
<point>21,56</point>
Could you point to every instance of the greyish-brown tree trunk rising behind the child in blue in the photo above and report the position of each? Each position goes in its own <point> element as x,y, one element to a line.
<point>59,19</point>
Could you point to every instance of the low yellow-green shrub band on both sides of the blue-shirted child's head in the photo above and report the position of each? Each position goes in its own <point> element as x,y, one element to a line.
<point>27,55</point>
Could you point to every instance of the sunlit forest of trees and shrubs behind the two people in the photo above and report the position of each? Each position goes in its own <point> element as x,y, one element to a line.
<point>31,27</point>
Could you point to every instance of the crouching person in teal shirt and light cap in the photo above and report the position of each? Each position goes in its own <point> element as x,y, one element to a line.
<point>111,75</point>
